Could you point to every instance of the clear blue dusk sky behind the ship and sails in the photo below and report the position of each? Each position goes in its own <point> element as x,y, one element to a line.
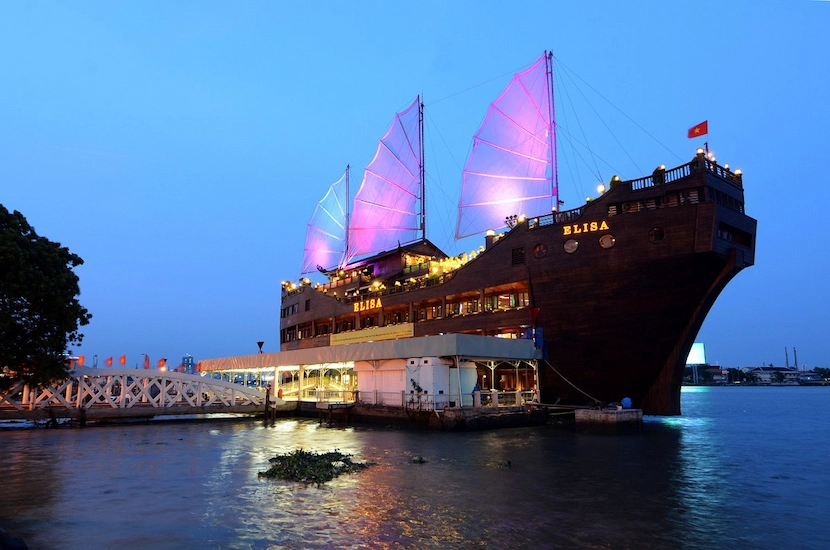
<point>180,147</point>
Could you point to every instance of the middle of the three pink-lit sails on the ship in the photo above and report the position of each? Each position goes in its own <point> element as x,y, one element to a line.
<point>388,207</point>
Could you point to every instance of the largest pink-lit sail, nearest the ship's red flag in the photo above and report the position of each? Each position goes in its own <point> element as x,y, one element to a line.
<point>511,169</point>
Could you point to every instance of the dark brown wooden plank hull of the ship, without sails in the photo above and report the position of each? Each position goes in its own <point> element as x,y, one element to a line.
<point>622,286</point>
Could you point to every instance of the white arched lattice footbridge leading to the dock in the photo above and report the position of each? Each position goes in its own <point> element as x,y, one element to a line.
<point>101,394</point>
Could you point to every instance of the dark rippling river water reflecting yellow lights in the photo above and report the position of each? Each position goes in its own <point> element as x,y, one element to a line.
<point>743,467</point>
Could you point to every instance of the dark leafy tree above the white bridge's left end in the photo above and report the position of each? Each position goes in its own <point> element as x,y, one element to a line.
<point>39,310</point>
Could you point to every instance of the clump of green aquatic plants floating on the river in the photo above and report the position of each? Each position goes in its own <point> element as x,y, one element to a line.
<point>310,467</point>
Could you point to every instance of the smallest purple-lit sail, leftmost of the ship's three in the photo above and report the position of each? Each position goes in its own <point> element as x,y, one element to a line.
<point>325,240</point>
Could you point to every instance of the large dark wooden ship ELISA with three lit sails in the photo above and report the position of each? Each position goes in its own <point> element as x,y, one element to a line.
<point>613,292</point>
